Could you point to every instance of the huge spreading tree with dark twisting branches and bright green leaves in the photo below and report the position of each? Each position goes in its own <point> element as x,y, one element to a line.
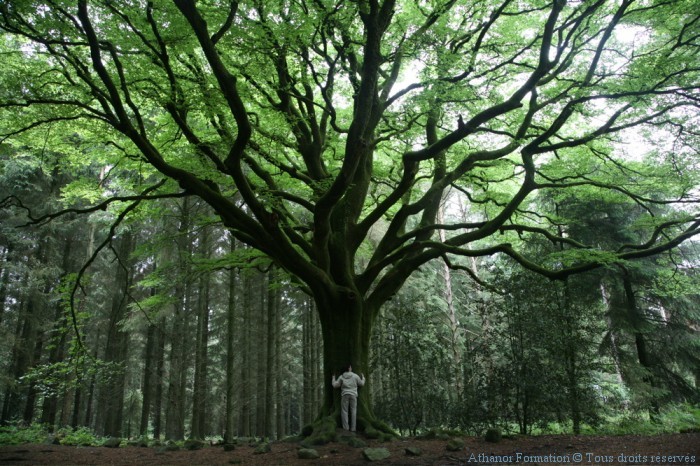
<point>327,133</point>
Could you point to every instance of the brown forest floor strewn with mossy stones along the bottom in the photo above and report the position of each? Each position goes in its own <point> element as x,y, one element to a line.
<point>548,449</point>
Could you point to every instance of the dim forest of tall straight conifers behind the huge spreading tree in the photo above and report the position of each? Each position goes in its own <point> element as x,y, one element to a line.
<point>184,332</point>
